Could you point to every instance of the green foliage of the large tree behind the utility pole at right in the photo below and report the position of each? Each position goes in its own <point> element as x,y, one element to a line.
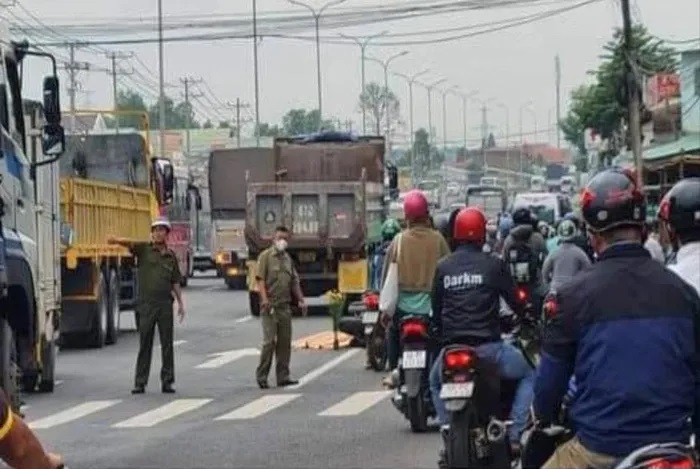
<point>601,105</point>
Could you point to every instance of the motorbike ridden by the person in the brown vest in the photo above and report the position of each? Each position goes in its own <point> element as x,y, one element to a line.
<point>412,393</point>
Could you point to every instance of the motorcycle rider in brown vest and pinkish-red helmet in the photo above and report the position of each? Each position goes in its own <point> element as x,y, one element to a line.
<point>421,249</point>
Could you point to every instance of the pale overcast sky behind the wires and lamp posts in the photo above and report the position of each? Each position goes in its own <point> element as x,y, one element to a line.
<point>511,69</point>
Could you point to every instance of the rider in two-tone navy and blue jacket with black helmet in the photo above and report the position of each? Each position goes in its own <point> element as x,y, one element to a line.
<point>627,329</point>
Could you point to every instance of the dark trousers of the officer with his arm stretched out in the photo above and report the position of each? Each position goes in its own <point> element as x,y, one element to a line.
<point>148,317</point>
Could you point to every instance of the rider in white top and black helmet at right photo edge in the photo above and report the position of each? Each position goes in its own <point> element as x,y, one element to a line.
<point>679,212</point>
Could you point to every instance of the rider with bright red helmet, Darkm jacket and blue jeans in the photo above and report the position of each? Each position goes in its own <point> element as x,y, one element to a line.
<point>467,290</point>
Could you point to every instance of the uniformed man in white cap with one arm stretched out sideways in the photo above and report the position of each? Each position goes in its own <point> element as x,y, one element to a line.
<point>158,280</point>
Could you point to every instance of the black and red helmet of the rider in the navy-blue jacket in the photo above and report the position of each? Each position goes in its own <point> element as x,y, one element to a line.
<point>612,199</point>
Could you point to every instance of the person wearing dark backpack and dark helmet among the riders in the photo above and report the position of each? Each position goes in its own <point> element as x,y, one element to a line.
<point>524,251</point>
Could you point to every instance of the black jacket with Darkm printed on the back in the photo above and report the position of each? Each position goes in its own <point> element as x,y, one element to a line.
<point>467,289</point>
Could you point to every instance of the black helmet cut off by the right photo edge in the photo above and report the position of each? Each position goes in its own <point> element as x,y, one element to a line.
<point>680,207</point>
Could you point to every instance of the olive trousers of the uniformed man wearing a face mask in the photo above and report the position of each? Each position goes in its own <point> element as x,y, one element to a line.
<point>277,343</point>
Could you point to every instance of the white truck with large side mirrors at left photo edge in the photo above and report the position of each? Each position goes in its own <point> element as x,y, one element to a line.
<point>29,226</point>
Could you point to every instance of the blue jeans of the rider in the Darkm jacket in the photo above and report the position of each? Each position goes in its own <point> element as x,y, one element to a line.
<point>511,365</point>
